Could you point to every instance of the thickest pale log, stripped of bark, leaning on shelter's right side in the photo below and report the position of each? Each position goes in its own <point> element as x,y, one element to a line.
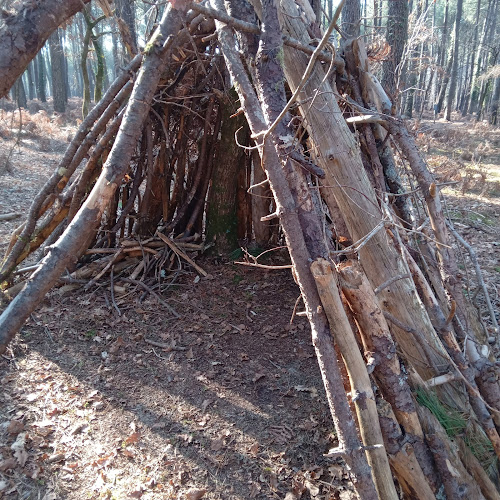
<point>347,182</point>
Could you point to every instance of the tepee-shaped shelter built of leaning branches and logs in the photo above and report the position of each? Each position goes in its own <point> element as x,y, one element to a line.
<point>326,153</point>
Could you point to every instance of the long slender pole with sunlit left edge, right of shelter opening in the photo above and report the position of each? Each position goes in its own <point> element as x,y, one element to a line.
<point>286,207</point>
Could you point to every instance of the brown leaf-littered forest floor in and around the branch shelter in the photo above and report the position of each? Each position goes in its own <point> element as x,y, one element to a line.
<point>235,405</point>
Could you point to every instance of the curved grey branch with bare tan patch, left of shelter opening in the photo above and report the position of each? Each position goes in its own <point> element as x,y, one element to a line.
<point>77,235</point>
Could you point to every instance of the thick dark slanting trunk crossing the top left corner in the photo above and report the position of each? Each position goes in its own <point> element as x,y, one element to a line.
<point>24,34</point>
